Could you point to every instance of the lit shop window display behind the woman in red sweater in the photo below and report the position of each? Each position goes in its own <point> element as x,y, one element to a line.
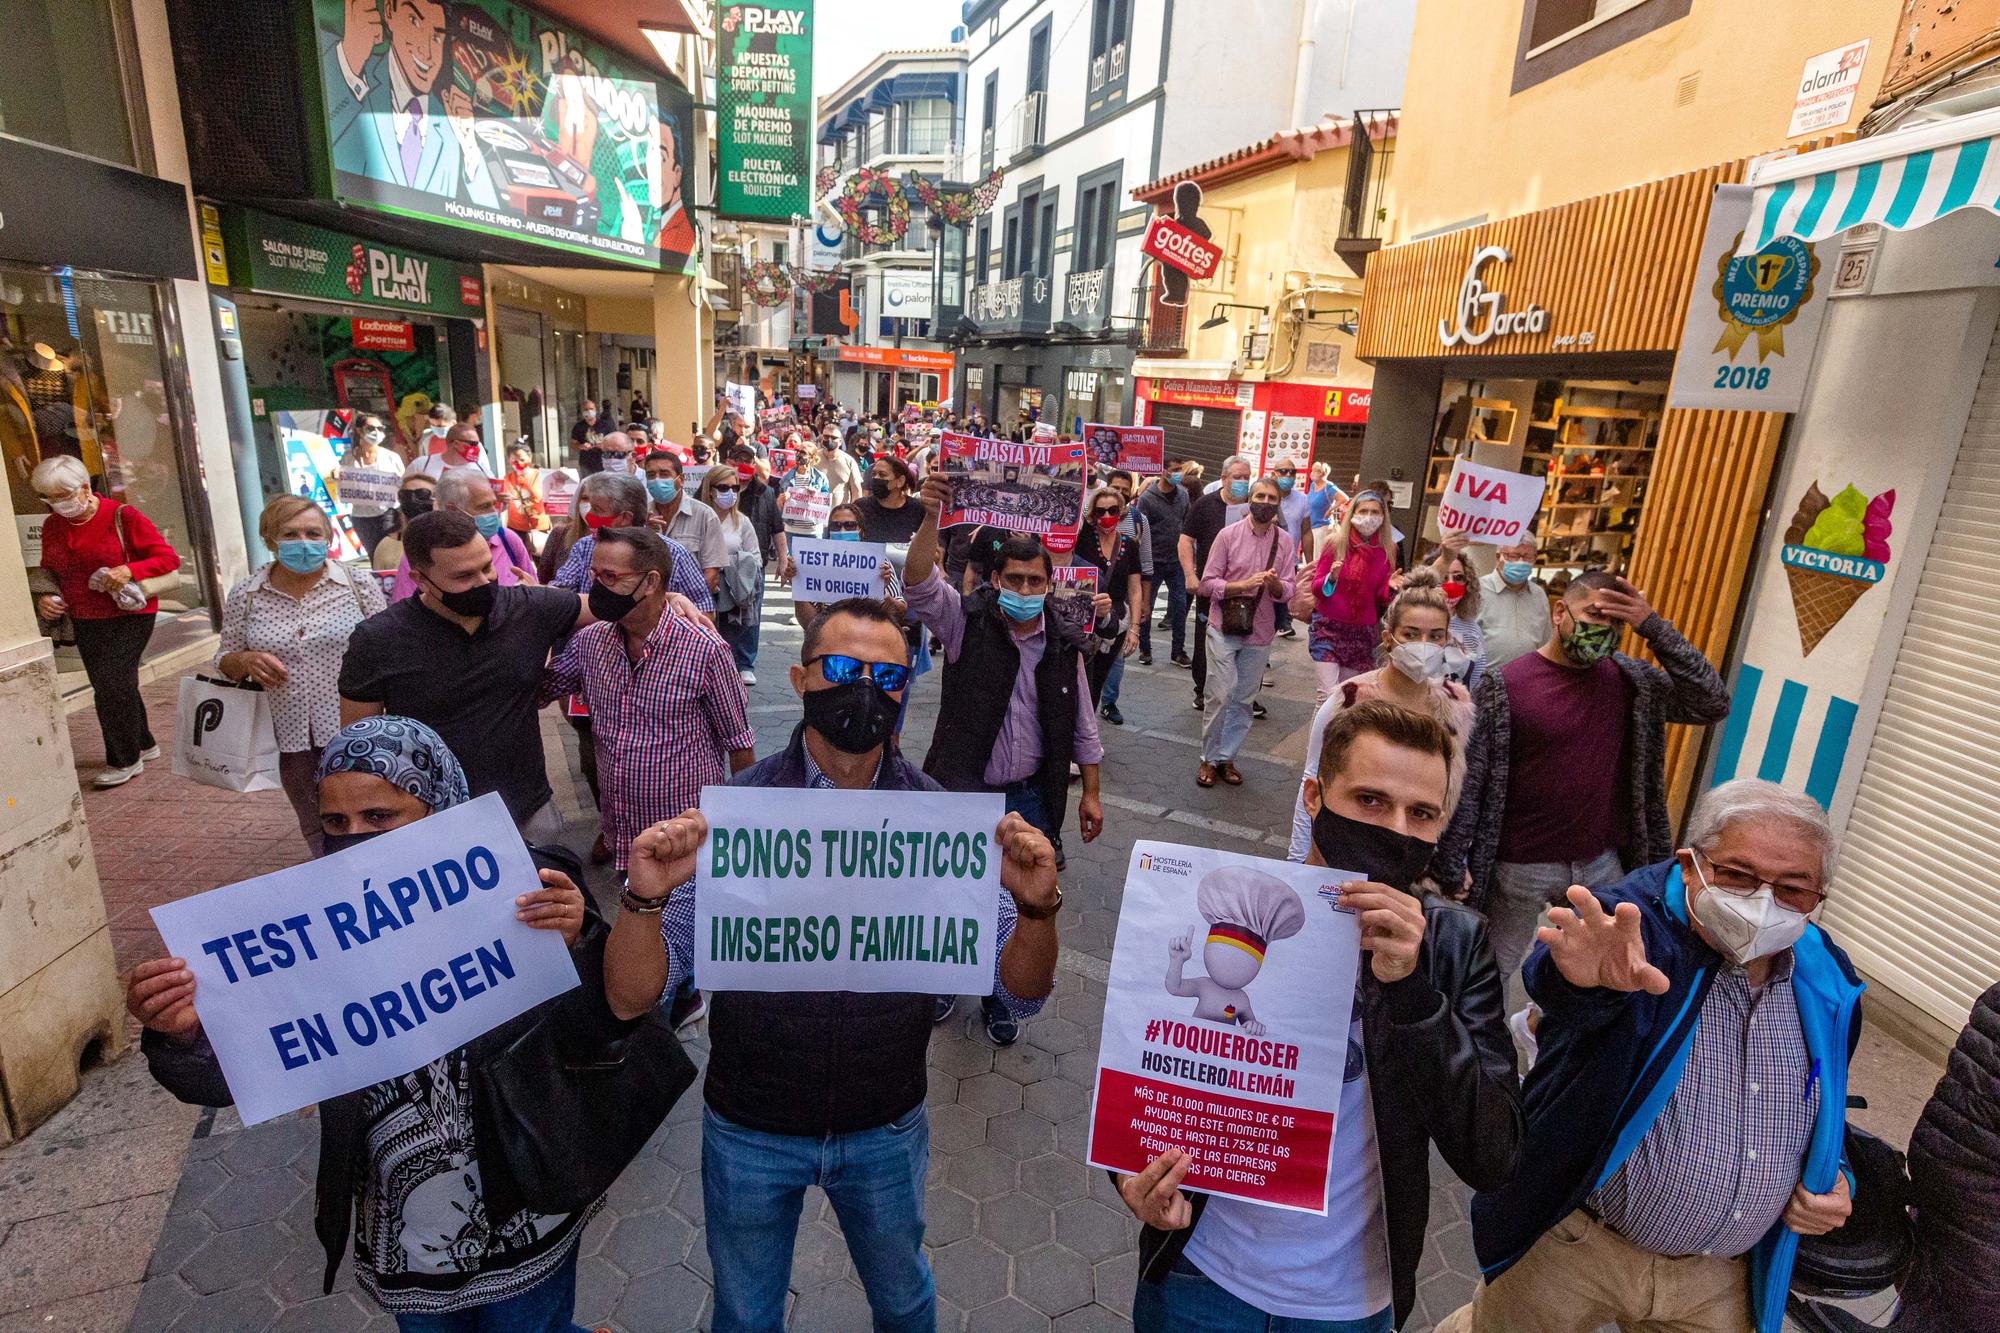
<point>83,375</point>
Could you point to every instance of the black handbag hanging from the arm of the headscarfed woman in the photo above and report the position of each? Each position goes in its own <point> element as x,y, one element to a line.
<point>567,1118</point>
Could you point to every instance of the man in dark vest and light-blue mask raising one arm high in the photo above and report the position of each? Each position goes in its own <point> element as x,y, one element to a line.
<point>1015,708</point>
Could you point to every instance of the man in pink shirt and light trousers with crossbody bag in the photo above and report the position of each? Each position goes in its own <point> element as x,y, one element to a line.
<point>1253,557</point>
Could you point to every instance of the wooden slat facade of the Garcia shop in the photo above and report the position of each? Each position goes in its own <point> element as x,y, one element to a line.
<point>1619,267</point>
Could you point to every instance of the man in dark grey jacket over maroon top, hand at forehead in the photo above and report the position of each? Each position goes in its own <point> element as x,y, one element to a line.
<point>1567,766</point>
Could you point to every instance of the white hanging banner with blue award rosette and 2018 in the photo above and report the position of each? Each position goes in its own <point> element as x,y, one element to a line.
<point>1753,319</point>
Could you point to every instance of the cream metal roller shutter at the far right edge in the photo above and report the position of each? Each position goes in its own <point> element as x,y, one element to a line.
<point>1919,882</point>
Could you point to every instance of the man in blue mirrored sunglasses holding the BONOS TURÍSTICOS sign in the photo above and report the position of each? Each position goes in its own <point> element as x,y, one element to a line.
<point>823,1088</point>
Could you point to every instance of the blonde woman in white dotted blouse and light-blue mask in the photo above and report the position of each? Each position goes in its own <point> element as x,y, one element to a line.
<point>287,627</point>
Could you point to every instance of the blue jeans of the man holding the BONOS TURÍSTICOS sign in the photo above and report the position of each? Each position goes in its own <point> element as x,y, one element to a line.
<point>753,1192</point>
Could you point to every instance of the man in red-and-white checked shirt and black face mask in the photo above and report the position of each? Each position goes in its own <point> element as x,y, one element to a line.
<point>667,706</point>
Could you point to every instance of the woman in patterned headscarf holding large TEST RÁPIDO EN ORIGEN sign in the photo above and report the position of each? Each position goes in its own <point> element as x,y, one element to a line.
<point>399,1160</point>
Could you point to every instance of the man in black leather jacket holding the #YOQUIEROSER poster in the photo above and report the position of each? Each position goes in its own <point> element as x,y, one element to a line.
<point>1429,1064</point>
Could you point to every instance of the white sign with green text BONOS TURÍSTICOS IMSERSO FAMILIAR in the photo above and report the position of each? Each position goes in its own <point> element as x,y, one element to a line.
<point>877,892</point>
